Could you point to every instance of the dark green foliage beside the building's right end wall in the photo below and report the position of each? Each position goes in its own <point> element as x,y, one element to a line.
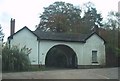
<point>112,46</point>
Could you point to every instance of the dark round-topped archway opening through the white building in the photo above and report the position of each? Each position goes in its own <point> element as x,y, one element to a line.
<point>61,56</point>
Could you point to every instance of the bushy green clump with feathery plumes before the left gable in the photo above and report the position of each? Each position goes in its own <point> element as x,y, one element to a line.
<point>15,59</point>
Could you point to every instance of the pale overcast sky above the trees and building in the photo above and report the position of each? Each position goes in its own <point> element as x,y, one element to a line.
<point>27,12</point>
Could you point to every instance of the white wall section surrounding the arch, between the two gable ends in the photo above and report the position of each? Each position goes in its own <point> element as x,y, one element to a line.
<point>46,45</point>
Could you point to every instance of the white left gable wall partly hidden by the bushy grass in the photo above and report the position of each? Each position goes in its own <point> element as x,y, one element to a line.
<point>25,37</point>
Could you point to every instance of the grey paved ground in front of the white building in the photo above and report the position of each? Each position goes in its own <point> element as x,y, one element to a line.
<point>102,73</point>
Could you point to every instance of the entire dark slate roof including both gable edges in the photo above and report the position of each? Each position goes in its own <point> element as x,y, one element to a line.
<point>59,36</point>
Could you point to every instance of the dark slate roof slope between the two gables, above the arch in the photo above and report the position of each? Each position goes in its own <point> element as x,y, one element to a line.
<point>61,36</point>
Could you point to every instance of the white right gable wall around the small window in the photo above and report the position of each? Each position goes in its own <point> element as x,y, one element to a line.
<point>94,43</point>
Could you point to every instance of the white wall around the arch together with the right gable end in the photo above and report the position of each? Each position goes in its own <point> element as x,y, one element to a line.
<point>82,50</point>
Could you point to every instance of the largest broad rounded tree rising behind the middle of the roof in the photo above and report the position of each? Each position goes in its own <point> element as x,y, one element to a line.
<point>60,17</point>
